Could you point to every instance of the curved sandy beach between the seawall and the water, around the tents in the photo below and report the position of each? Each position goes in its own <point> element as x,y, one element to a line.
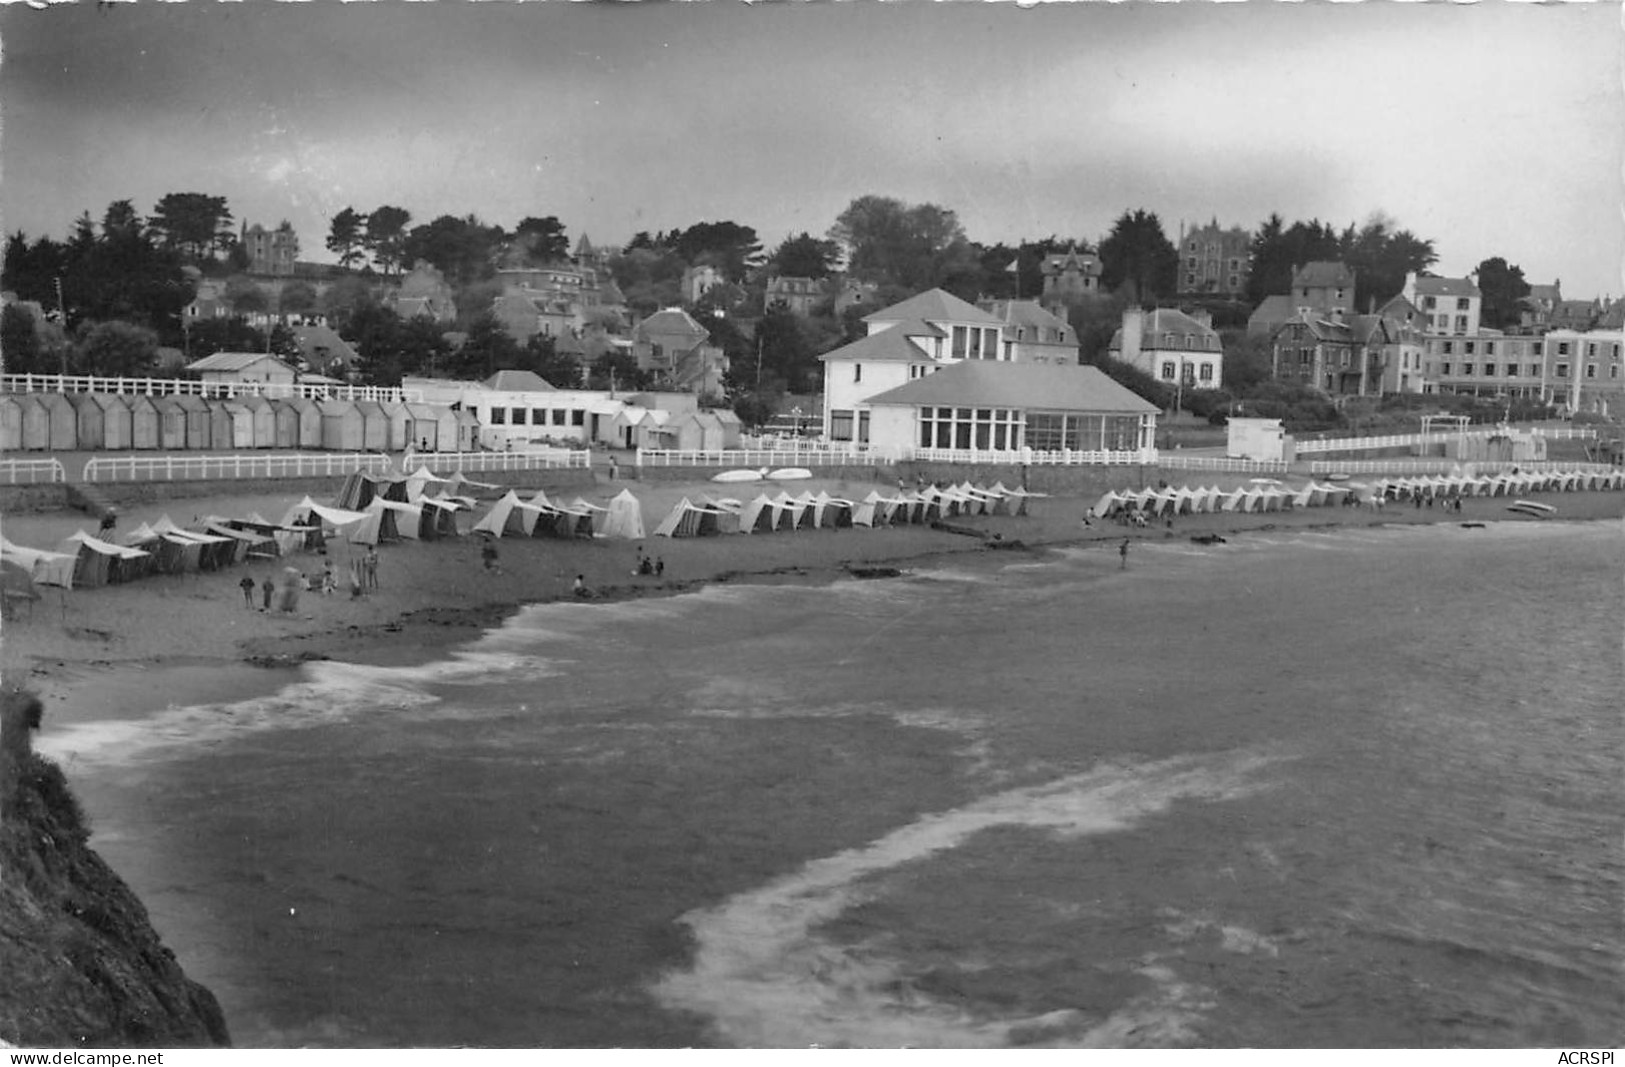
<point>438,592</point>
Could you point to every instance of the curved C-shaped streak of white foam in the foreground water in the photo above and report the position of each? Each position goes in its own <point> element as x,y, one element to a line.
<point>766,978</point>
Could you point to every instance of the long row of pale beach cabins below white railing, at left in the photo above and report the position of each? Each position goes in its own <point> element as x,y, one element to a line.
<point>118,423</point>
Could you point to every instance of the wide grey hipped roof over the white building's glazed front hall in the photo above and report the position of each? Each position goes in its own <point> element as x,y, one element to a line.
<point>1046,387</point>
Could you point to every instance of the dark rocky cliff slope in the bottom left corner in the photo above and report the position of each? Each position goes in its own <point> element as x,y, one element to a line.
<point>80,964</point>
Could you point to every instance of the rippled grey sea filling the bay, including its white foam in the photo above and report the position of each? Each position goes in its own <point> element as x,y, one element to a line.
<point>1351,788</point>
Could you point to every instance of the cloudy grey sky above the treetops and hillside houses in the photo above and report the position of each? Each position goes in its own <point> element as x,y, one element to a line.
<point>1494,129</point>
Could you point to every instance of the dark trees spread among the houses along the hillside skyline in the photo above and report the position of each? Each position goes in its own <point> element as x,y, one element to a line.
<point>116,290</point>
